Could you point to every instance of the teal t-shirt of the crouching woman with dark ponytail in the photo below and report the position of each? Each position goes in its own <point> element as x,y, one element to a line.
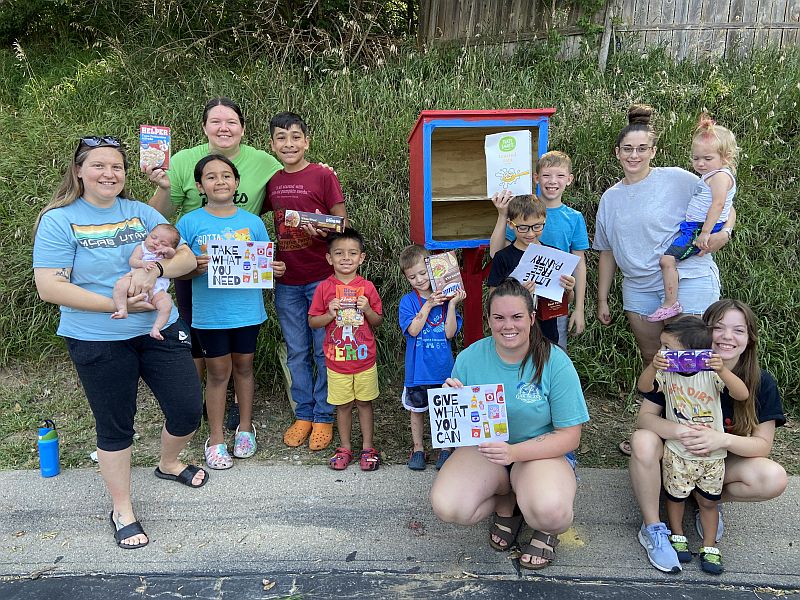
<point>533,409</point>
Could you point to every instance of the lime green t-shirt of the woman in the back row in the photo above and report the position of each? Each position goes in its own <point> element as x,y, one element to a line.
<point>255,168</point>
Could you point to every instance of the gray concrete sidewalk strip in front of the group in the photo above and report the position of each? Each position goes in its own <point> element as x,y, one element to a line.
<point>262,519</point>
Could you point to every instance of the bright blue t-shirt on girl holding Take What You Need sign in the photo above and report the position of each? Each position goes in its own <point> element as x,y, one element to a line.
<point>223,308</point>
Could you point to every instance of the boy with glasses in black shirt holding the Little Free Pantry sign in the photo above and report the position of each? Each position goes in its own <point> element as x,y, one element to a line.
<point>526,215</point>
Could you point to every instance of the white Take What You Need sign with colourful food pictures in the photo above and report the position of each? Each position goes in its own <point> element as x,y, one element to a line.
<point>240,265</point>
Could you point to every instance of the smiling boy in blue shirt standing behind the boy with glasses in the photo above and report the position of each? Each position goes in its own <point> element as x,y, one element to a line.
<point>565,230</point>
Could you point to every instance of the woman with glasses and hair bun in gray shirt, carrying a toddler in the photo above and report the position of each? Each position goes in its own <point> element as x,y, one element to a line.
<point>636,221</point>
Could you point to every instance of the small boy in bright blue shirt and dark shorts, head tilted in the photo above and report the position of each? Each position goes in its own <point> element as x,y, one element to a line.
<point>429,321</point>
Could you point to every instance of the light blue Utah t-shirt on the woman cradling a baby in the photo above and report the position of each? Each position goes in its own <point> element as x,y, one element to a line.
<point>96,243</point>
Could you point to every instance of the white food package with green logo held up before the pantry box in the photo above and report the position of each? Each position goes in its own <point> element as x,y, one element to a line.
<point>509,162</point>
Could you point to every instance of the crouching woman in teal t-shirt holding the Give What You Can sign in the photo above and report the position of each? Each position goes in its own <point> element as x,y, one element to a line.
<point>531,478</point>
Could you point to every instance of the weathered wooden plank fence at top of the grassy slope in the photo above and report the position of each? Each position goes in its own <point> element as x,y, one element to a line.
<point>687,28</point>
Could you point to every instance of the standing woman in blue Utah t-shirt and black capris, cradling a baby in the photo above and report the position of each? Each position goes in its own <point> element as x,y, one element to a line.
<point>83,240</point>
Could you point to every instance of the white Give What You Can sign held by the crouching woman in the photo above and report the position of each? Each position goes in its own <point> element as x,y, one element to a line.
<point>467,416</point>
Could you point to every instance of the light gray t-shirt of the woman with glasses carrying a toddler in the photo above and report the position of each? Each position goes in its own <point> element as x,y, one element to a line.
<point>638,222</point>
